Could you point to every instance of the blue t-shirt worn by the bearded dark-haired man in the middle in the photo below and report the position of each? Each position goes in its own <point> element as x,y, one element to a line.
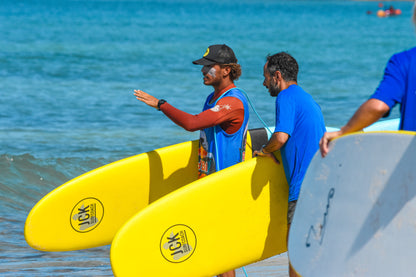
<point>299,116</point>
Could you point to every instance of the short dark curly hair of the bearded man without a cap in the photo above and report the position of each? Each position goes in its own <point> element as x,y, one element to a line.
<point>284,63</point>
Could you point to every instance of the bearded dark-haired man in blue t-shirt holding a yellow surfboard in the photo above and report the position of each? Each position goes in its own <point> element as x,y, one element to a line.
<point>299,124</point>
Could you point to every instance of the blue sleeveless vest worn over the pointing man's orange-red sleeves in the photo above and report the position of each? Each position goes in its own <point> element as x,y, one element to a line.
<point>217,149</point>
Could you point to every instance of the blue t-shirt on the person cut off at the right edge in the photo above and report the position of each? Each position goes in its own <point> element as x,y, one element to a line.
<point>398,86</point>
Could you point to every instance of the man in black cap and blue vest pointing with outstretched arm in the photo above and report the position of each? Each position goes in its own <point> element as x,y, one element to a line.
<point>224,119</point>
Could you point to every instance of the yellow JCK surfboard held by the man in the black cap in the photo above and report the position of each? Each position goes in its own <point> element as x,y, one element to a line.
<point>88,210</point>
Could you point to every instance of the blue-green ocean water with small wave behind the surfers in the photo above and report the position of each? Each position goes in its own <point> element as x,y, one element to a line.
<point>68,69</point>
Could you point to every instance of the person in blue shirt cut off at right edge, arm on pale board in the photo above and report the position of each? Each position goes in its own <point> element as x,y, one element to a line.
<point>398,86</point>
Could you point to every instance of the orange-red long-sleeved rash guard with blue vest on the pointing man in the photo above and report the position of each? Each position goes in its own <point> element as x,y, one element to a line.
<point>223,125</point>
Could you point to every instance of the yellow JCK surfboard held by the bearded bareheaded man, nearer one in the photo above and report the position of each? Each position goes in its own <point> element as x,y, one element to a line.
<point>224,221</point>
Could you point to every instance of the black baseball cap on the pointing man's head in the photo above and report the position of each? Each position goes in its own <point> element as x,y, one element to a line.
<point>217,54</point>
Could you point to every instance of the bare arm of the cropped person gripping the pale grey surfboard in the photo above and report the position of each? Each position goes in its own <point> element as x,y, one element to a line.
<point>369,112</point>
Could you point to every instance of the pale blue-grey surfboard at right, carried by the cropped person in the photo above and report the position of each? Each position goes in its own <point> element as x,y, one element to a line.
<point>355,213</point>
